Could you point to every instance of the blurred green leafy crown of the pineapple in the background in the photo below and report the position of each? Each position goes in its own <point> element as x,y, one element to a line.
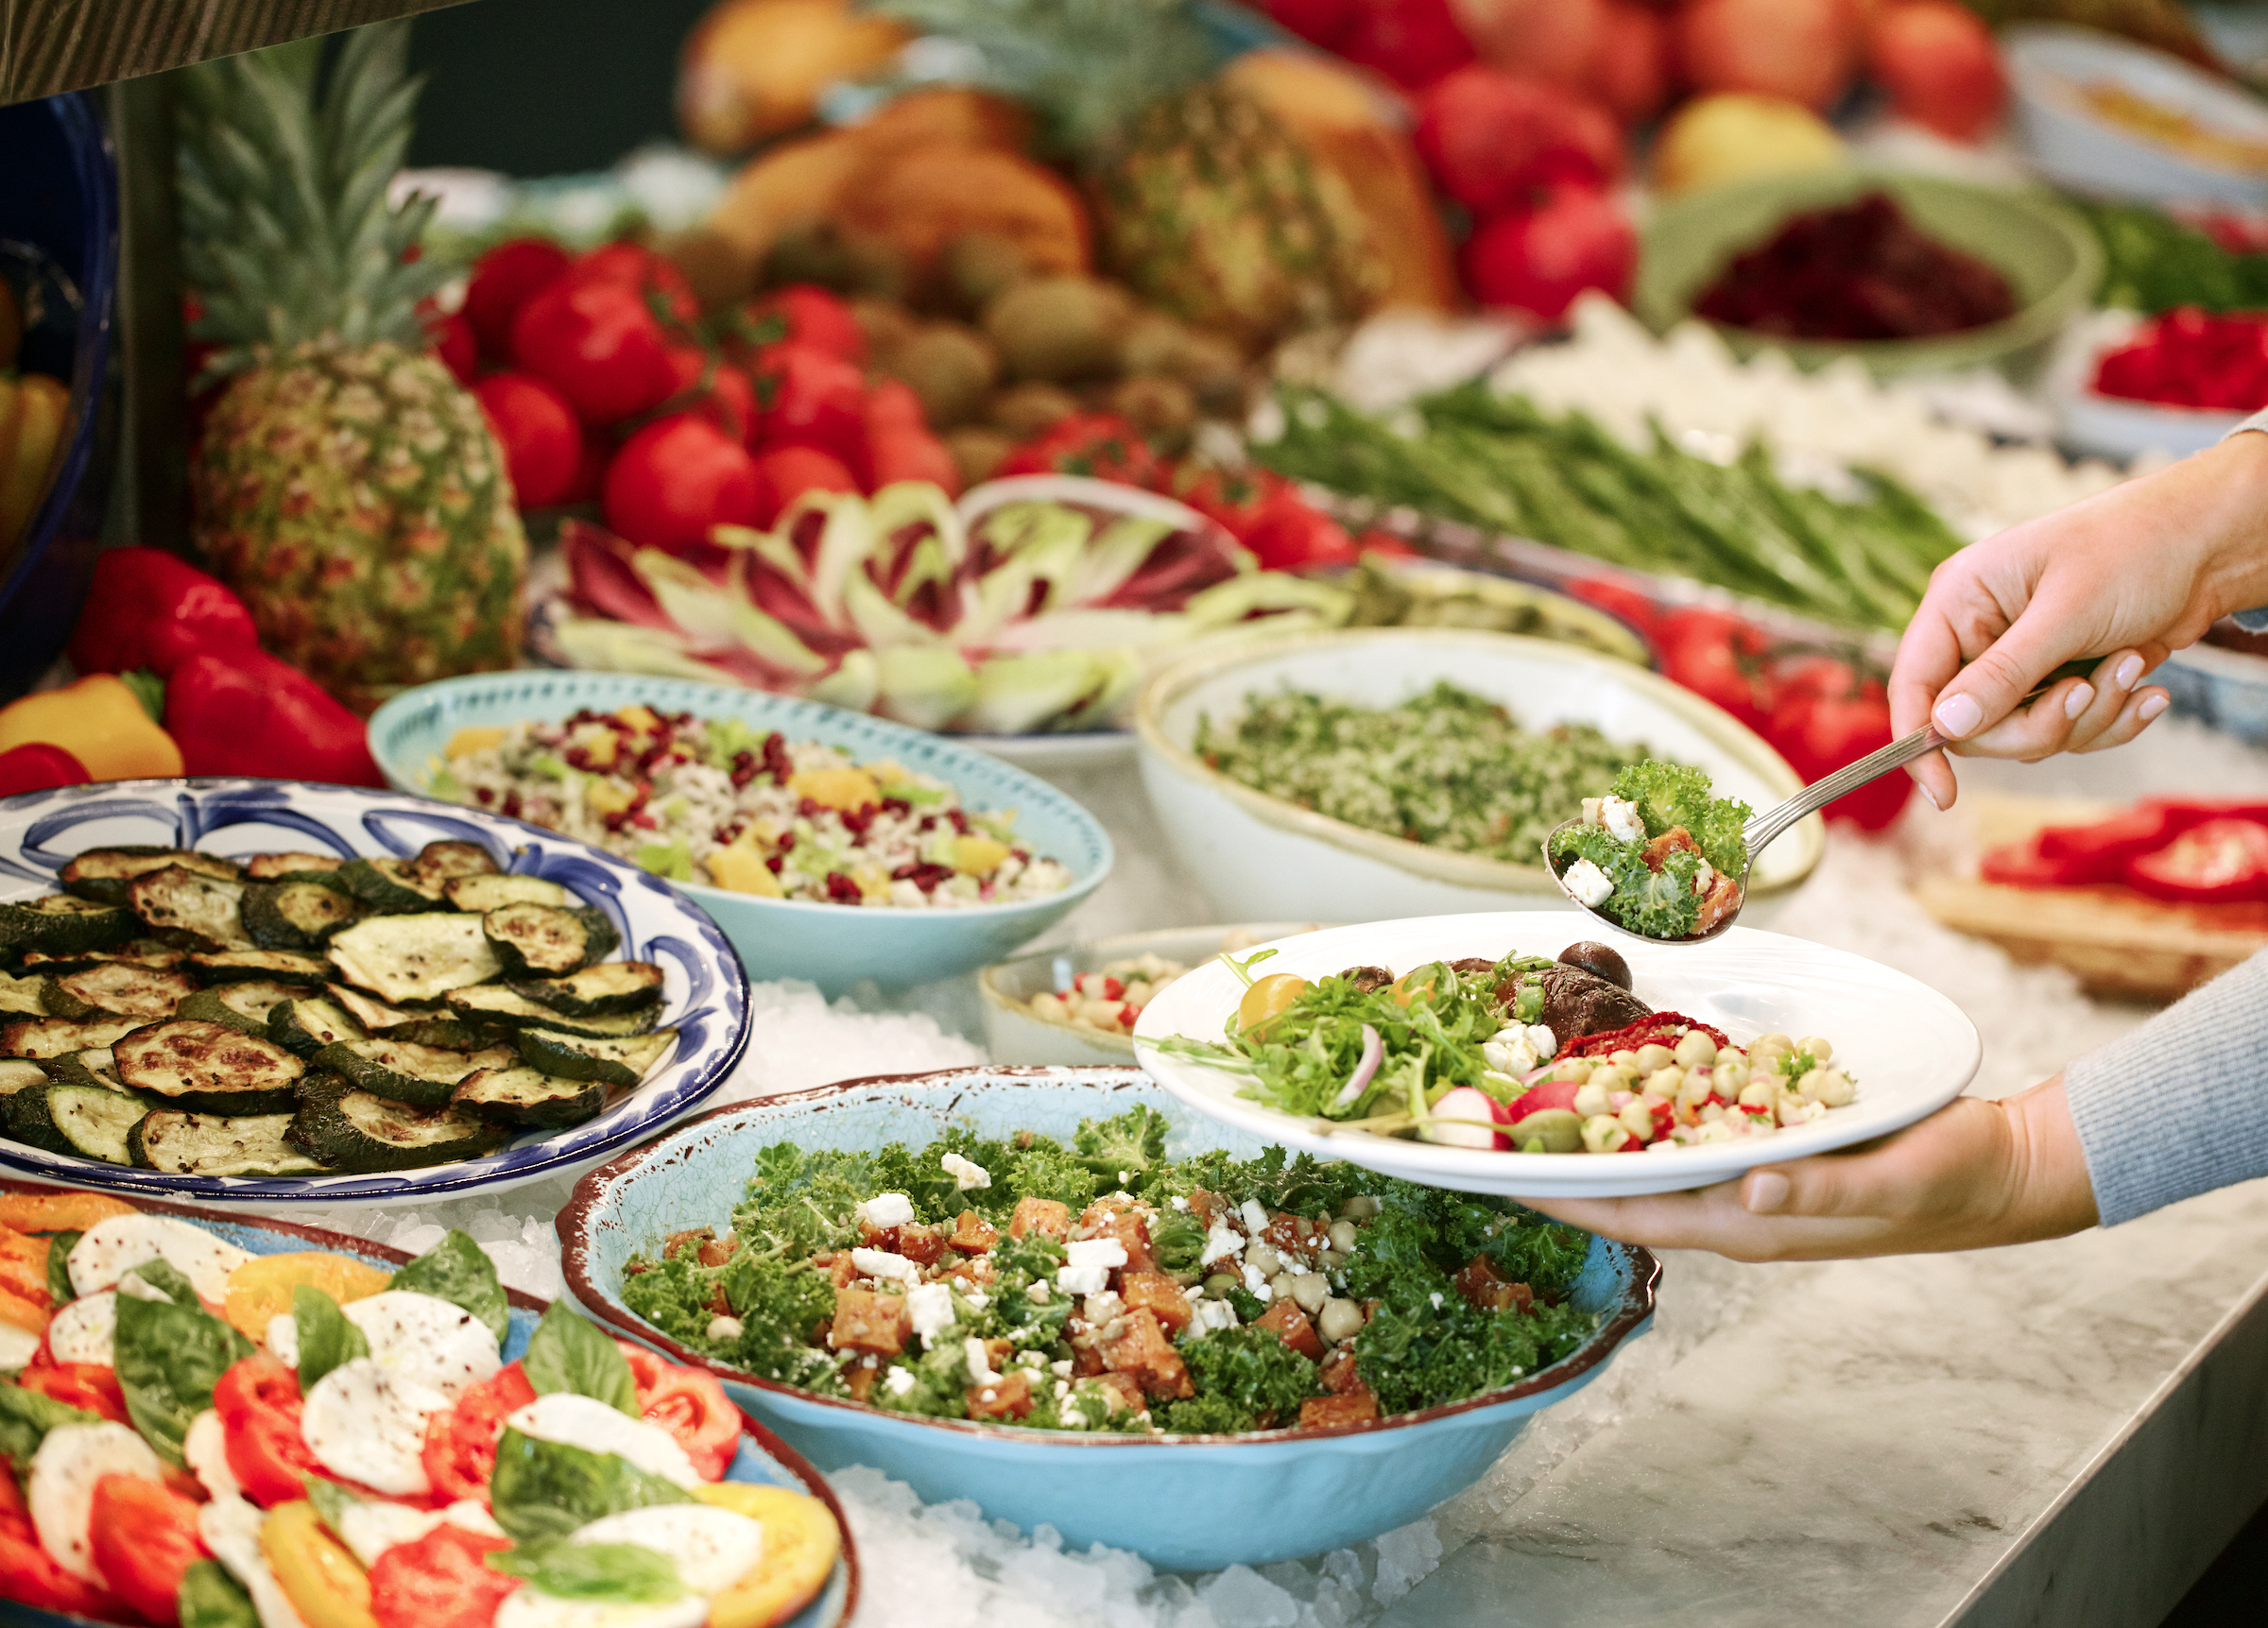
<point>1088,67</point>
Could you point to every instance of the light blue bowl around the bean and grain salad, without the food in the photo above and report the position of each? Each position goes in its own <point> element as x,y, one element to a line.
<point>786,938</point>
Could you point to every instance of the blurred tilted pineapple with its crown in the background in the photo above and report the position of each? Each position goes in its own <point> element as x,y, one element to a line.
<point>1208,203</point>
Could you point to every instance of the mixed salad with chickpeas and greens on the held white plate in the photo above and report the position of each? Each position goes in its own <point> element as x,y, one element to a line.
<point>1512,1055</point>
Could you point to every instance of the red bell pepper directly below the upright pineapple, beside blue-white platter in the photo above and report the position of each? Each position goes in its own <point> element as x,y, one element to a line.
<point>246,713</point>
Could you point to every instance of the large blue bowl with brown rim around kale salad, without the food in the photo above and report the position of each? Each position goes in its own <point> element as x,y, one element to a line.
<point>1190,1504</point>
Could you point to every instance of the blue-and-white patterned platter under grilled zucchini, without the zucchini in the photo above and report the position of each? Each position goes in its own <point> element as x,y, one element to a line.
<point>704,994</point>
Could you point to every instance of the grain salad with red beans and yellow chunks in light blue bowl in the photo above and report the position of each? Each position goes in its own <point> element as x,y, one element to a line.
<point>716,802</point>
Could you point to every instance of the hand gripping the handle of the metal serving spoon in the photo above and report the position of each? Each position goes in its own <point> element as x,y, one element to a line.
<point>2126,577</point>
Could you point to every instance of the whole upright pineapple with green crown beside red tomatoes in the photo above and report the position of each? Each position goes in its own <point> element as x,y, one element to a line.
<point>346,486</point>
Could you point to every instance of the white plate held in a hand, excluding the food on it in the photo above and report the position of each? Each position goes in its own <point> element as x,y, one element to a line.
<point>1909,1049</point>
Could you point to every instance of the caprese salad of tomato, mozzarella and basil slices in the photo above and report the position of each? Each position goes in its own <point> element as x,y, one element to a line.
<point>219,1439</point>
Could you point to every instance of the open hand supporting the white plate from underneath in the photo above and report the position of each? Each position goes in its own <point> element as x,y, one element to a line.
<point>1972,1176</point>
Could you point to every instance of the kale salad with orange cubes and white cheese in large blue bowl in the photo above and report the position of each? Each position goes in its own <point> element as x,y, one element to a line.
<point>1106,1287</point>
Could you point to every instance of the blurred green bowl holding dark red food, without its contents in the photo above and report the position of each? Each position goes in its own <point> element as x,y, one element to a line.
<point>2047,253</point>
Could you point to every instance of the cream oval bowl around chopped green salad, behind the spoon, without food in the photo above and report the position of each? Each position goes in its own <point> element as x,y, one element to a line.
<point>1262,858</point>
